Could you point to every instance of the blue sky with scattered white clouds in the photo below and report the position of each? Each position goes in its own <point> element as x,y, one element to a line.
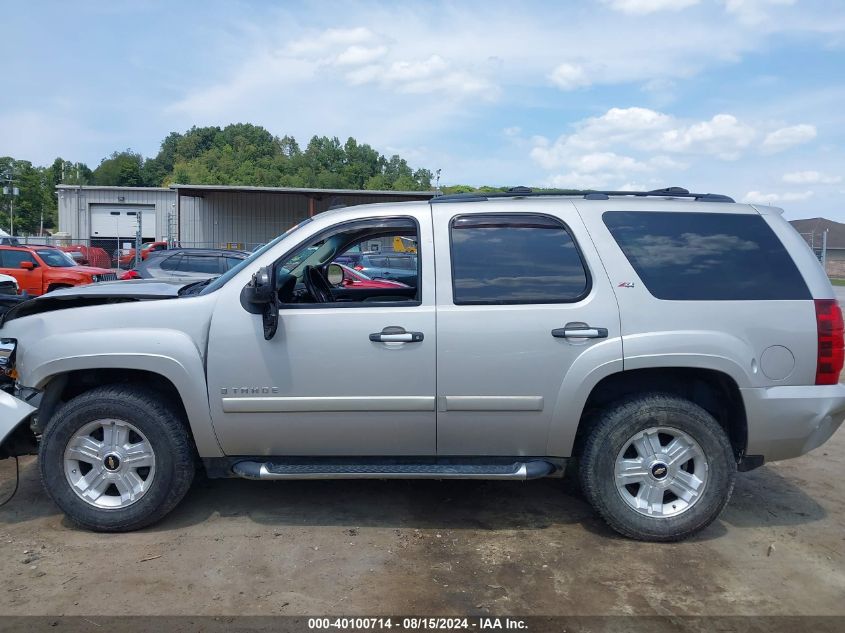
<point>740,97</point>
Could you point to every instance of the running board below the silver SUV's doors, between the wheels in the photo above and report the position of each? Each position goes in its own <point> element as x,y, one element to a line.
<point>268,470</point>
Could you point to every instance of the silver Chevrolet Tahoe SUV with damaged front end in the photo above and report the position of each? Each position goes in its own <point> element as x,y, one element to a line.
<point>650,343</point>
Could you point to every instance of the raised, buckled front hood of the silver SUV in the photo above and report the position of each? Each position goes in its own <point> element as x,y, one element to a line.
<point>94,294</point>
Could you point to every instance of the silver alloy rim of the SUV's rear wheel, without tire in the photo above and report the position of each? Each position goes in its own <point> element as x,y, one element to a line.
<point>661,472</point>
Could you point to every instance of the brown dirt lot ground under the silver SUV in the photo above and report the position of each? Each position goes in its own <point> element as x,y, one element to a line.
<point>237,546</point>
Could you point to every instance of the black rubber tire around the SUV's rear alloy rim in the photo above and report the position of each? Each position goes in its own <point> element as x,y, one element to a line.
<point>615,427</point>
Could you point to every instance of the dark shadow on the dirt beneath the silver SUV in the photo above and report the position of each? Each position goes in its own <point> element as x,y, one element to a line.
<point>761,498</point>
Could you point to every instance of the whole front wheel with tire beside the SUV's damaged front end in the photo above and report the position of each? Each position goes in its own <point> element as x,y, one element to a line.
<point>116,458</point>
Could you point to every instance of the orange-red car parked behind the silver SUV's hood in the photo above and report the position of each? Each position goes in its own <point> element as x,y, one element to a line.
<point>40,269</point>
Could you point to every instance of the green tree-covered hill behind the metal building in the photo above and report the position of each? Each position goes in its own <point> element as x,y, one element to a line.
<point>238,154</point>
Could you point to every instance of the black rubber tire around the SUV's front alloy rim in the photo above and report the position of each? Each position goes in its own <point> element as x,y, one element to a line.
<point>165,431</point>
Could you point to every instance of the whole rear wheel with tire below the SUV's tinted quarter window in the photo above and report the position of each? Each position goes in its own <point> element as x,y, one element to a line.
<point>657,467</point>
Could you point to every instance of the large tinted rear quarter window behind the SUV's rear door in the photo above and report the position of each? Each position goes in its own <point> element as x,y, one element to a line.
<point>706,256</point>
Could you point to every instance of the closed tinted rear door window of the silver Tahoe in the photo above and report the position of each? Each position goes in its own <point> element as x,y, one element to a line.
<point>515,259</point>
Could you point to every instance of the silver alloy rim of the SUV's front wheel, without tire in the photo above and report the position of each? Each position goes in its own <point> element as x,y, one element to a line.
<point>109,464</point>
